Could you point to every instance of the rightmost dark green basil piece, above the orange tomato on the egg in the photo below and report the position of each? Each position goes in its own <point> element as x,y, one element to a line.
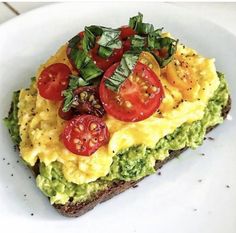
<point>169,45</point>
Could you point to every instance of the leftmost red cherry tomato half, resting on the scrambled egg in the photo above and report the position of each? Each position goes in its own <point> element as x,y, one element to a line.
<point>53,80</point>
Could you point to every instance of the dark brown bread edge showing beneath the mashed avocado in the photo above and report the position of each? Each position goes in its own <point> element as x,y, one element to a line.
<point>77,209</point>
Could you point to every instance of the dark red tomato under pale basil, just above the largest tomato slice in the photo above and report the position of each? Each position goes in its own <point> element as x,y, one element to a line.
<point>105,63</point>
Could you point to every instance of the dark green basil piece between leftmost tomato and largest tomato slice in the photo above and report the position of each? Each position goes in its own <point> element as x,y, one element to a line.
<point>89,70</point>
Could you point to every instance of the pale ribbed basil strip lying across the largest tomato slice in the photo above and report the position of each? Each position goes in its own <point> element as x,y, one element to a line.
<point>124,69</point>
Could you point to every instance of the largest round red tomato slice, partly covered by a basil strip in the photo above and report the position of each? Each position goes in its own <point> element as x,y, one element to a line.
<point>138,97</point>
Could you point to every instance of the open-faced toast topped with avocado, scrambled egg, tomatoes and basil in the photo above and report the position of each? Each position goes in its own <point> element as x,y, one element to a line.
<point>111,107</point>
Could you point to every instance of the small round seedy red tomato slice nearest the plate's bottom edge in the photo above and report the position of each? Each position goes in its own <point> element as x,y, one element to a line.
<point>84,134</point>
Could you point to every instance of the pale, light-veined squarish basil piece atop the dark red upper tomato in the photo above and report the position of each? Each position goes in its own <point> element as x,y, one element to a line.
<point>110,38</point>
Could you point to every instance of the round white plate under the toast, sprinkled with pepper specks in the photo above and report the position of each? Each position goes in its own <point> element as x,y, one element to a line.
<point>172,202</point>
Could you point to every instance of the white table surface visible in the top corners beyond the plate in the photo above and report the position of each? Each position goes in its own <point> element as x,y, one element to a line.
<point>223,14</point>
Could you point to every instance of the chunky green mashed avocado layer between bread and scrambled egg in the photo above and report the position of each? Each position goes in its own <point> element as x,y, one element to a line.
<point>132,163</point>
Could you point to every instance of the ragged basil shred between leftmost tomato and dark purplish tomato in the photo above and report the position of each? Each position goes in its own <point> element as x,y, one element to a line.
<point>74,83</point>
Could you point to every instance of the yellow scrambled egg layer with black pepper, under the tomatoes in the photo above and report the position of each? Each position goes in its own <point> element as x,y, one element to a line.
<point>40,125</point>
